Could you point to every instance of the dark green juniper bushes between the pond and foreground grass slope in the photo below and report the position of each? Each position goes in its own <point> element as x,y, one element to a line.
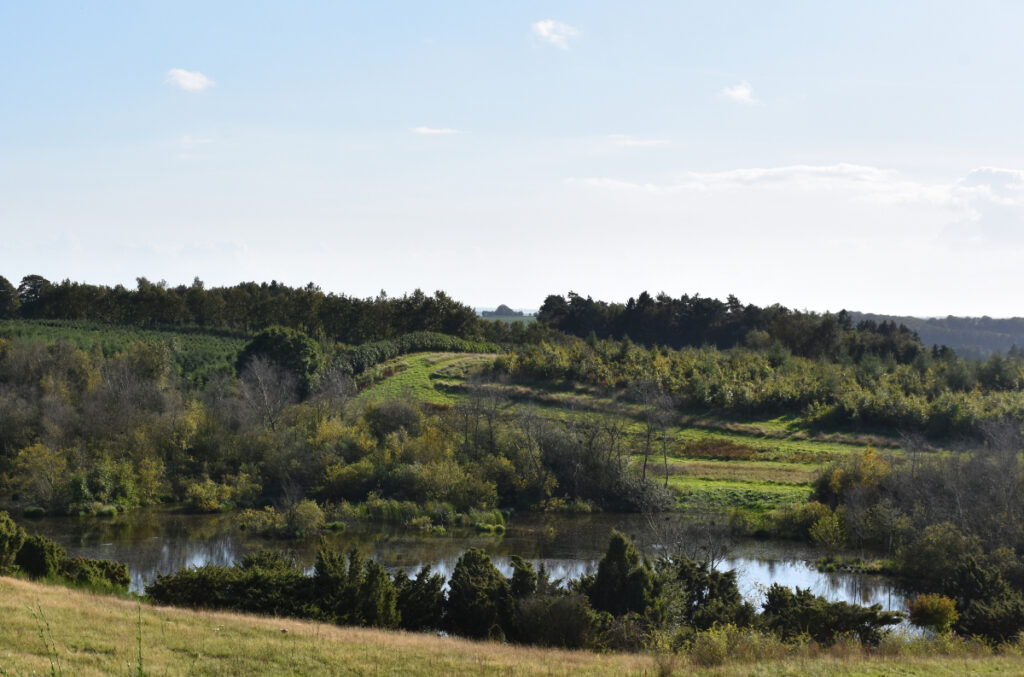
<point>629,604</point>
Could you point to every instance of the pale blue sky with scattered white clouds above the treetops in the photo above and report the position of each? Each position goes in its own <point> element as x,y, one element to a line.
<point>865,156</point>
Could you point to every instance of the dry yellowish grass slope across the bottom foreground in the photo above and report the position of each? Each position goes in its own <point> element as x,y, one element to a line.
<point>54,630</point>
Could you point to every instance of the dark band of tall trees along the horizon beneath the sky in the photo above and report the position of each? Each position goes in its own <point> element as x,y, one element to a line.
<point>650,321</point>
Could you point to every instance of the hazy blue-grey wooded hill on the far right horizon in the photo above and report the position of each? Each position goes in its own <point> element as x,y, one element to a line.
<point>970,337</point>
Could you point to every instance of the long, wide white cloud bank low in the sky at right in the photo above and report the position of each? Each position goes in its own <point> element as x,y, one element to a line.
<point>984,208</point>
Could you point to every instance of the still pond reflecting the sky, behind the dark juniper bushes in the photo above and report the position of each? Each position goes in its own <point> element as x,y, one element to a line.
<point>157,542</point>
